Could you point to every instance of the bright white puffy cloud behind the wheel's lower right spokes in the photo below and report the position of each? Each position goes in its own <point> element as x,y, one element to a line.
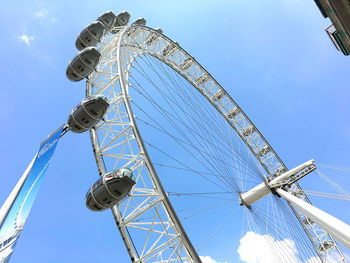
<point>255,248</point>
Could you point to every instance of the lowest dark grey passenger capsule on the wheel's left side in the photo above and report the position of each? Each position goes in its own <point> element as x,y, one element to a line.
<point>110,189</point>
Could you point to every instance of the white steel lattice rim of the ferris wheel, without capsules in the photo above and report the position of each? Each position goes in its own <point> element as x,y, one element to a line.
<point>146,220</point>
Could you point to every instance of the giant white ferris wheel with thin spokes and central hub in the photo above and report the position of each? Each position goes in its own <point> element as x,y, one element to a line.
<point>172,126</point>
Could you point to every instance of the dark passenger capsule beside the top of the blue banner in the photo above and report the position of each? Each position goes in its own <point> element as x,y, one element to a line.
<point>88,113</point>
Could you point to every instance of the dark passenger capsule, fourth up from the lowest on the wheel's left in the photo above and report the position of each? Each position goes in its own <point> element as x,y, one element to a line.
<point>90,36</point>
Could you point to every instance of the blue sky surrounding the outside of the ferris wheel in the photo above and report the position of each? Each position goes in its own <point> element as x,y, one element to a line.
<point>273,57</point>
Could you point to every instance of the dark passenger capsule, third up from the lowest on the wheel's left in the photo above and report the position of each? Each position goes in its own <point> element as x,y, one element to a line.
<point>83,64</point>
